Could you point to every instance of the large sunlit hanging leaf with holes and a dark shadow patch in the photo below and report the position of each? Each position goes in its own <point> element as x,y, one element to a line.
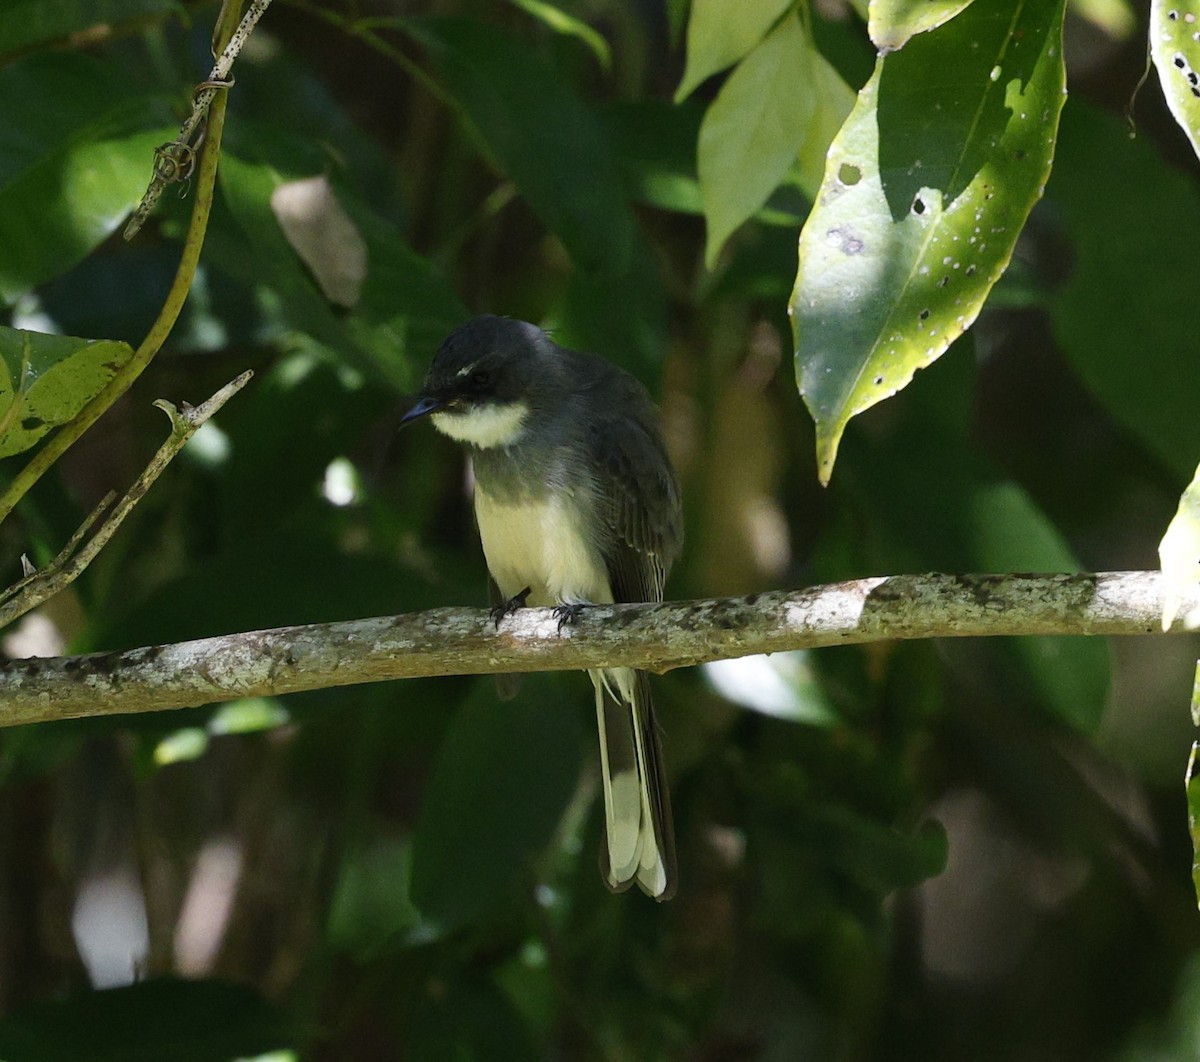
<point>927,189</point>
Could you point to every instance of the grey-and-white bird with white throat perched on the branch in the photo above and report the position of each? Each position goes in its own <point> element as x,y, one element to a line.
<point>578,503</point>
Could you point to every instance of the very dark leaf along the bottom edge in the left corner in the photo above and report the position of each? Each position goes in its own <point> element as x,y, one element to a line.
<point>166,1018</point>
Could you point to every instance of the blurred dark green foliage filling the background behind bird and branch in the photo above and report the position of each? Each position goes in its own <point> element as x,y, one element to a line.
<point>941,851</point>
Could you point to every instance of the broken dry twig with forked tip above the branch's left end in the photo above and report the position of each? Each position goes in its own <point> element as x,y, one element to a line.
<point>38,586</point>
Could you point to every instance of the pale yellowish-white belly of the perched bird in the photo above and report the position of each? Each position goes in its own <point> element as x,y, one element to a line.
<point>542,542</point>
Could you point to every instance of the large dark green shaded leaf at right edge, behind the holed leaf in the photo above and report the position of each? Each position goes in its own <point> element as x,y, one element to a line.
<point>1127,316</point>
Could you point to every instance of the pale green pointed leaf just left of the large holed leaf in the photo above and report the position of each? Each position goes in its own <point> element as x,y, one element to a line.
<point>783,103</point>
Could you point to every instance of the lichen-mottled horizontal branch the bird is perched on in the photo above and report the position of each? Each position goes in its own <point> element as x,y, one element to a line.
<point>657,638</point>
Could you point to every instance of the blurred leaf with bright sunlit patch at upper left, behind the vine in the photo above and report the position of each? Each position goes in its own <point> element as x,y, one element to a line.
<point>76,153</point>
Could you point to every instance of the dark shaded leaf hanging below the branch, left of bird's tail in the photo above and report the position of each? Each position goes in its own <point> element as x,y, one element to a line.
<point>499,788</point>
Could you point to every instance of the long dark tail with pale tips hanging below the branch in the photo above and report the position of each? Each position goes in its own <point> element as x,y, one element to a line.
<point>639,843</point>
